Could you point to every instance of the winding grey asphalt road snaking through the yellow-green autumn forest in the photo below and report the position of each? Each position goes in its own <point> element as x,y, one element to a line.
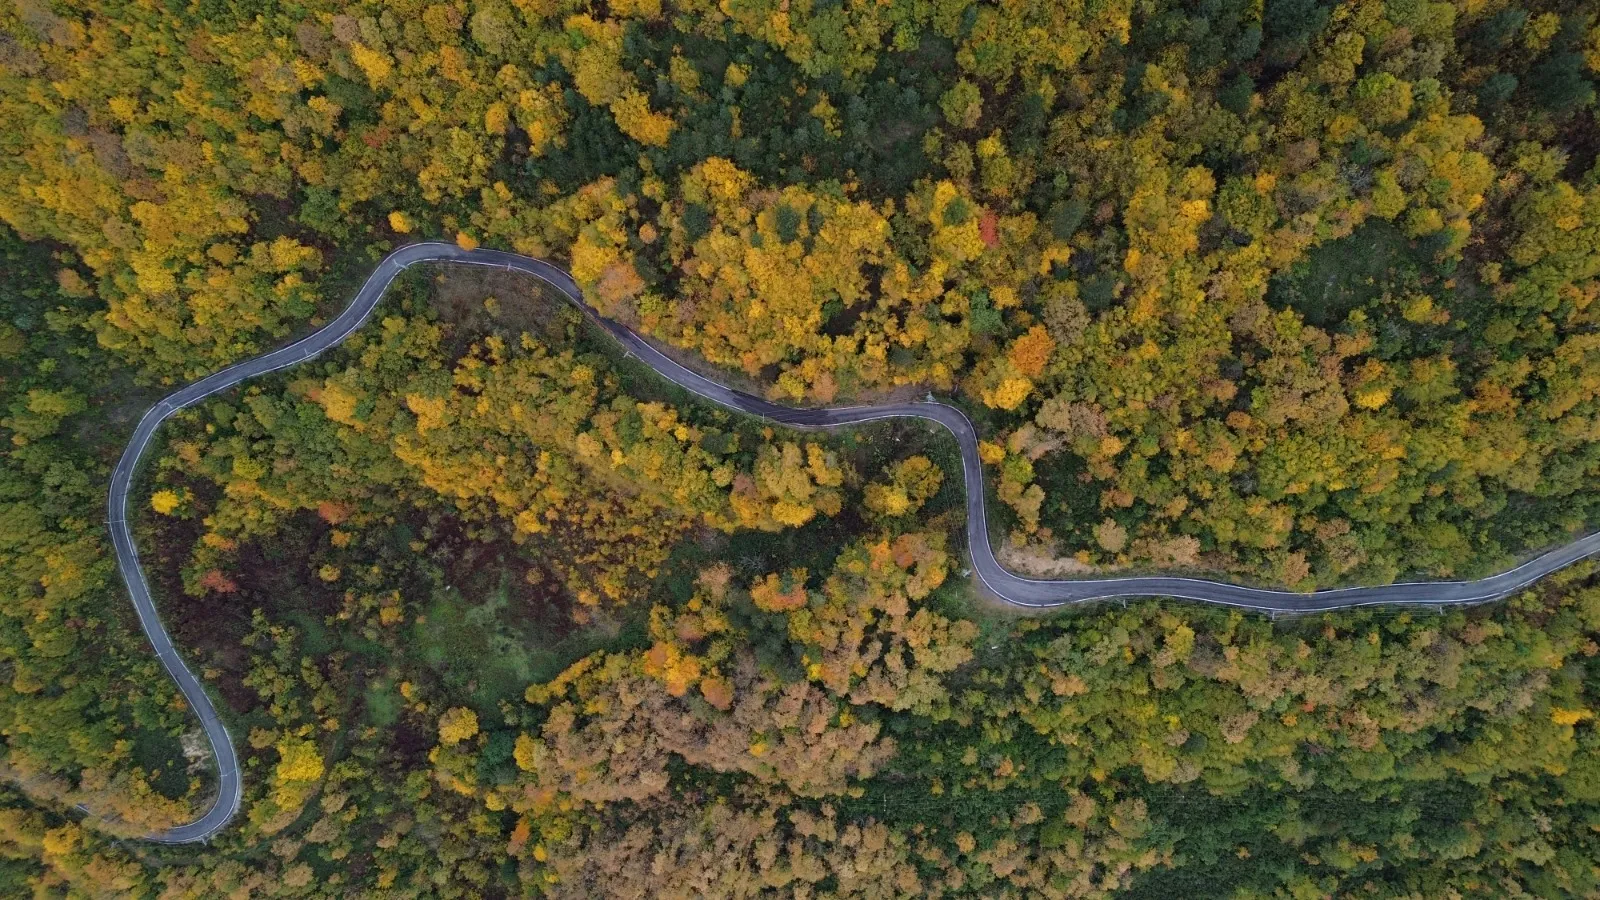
<point>1007,587</point>
